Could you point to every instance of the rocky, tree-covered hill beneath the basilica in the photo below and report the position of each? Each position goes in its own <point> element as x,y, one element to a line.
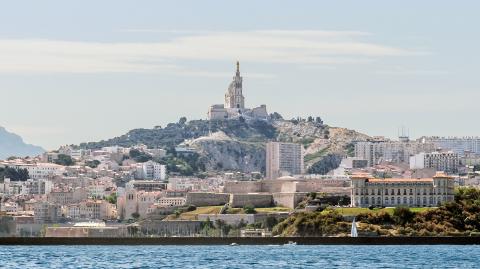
<point>239,144</point>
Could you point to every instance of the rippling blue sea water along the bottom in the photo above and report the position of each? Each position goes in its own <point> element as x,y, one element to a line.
<point>239,257</point>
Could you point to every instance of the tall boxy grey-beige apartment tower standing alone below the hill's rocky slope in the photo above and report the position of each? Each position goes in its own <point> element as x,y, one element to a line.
<point>283,159</point>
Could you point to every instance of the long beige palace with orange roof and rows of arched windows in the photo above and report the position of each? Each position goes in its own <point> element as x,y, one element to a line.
<point>391,192</point>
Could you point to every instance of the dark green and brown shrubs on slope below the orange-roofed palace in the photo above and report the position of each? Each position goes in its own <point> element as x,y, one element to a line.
<point>460,217</point>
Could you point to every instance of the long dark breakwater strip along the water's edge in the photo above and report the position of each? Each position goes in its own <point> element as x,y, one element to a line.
<point>241,241</point>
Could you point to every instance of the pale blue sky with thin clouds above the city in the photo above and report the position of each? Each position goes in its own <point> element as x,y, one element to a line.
<point>78,71</point>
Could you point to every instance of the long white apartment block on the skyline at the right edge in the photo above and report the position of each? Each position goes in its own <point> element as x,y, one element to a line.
<point>459,145</point>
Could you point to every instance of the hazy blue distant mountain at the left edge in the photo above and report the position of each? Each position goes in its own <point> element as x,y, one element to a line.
<point>13,145</point>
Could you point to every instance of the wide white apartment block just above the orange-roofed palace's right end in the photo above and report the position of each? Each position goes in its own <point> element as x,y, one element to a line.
<point>440,161</point>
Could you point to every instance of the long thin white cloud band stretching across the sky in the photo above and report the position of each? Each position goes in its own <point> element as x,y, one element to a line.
<point>274,46</point>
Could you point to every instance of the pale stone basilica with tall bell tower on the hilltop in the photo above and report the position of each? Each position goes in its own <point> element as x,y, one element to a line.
<point>234,104</point>
